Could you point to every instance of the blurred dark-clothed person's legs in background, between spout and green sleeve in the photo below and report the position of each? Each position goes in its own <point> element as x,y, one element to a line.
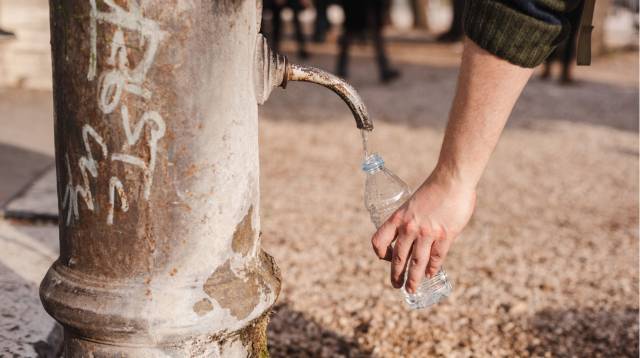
<point>362,17</point>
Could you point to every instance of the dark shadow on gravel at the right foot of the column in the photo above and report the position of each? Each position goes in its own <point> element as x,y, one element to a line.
<point>292,334</point>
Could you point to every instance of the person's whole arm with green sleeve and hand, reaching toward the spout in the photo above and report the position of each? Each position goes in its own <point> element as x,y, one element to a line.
<point>504,41</point>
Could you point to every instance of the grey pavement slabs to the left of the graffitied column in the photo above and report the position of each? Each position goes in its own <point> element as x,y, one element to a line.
<point>27,185</point>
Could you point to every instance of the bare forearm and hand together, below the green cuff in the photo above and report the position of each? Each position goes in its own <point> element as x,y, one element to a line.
<point>426,225</point>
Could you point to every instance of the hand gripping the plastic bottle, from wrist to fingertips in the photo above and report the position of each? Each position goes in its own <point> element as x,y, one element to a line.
<point>424,228</point>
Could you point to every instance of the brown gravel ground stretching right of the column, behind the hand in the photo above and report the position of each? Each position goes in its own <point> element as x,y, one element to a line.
<point>548,265</point>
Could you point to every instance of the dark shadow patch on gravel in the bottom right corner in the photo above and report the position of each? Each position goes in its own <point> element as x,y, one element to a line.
<point>584,333</point>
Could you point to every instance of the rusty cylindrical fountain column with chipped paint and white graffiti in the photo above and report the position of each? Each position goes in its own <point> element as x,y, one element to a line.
<point>157,156</point>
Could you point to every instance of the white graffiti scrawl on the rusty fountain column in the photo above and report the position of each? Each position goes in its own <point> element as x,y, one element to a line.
<point>117,80</point>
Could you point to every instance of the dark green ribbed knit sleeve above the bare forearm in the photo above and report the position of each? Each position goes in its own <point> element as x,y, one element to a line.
<point>523,32</point>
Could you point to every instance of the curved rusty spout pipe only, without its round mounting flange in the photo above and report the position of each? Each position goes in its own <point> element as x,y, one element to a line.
<point>339,86</point>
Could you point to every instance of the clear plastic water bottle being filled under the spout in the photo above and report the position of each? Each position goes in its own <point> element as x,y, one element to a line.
<point>384,193</point>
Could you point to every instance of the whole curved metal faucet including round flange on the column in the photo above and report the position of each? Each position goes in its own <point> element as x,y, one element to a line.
<point>275,70</point>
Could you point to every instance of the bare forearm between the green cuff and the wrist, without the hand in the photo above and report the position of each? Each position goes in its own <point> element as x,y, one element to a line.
<point>488,88</point>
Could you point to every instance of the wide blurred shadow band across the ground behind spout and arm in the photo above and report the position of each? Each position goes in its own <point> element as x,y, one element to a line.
<point>422,96</point>
